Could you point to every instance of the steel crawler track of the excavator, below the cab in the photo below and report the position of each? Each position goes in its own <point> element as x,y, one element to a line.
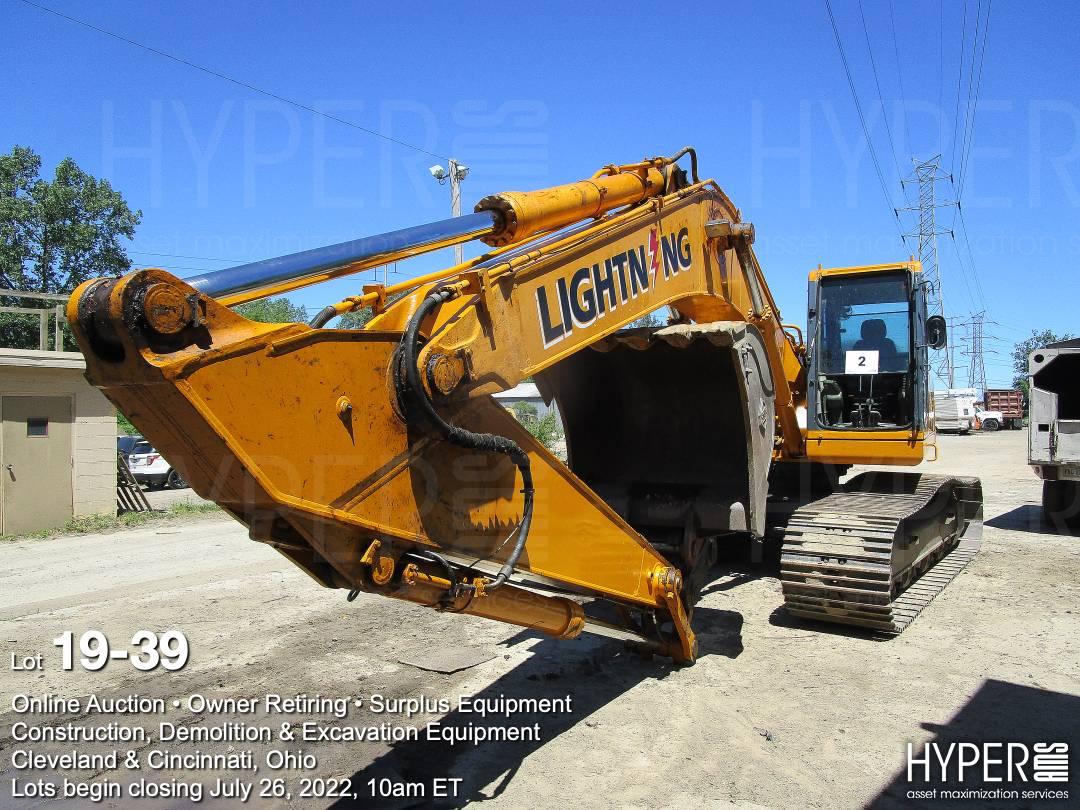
<point>875,555</point>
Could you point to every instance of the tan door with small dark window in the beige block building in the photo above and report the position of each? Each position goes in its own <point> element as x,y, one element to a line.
<point>36,463</point>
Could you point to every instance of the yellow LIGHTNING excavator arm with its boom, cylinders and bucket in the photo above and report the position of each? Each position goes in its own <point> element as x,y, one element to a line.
<point>377,461</point>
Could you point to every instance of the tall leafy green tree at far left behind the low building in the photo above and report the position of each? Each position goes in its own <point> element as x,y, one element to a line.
<point>57,235</point>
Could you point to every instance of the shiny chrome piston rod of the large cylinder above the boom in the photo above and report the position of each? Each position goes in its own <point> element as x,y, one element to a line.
<point>272,277</point>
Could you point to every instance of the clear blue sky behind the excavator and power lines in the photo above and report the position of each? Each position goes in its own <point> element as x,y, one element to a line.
<point>531,96</point>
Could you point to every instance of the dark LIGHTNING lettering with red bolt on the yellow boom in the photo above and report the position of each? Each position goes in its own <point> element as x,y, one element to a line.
<point>590,293</point>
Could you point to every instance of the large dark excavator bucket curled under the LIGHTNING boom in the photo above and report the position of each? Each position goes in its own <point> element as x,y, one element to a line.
<point>673,427</point>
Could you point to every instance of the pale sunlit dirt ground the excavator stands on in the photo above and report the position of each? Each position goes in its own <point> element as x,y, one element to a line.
<point>775,714</point>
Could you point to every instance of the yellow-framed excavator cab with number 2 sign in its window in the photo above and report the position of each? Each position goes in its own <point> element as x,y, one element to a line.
<point>868,357</point>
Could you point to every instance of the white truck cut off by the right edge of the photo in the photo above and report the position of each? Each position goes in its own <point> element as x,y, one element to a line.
<point>1055,428</point>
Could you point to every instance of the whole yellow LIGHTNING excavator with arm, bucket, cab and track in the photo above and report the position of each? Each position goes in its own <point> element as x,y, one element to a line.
<point>377,460</point>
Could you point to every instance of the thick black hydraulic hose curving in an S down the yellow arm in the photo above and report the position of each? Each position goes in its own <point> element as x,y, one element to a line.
<point>417,404</point>
